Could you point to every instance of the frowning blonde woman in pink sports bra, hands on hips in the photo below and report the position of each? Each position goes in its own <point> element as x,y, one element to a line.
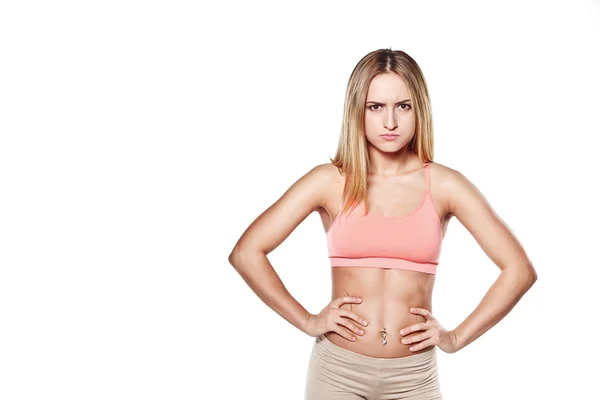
<point>385,207</point>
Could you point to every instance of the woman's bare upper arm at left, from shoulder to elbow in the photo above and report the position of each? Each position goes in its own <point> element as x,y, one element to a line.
<point>306,194</point>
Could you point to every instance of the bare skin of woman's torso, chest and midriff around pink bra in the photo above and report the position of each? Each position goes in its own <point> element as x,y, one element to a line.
<point>387,294</point>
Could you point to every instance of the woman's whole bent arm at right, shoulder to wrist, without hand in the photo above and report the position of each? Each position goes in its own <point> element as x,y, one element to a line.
<point>517,275</point>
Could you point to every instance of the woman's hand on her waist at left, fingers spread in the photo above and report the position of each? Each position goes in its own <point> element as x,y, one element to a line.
<point>333,318</point>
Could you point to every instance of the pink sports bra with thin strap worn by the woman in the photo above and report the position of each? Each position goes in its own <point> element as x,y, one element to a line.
<point>412,241</point>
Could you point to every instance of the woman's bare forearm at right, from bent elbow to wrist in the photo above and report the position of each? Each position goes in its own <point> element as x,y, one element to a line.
<point>502,296</point>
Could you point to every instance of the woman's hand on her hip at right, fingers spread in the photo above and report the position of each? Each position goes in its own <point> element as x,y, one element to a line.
<point>433,333</point>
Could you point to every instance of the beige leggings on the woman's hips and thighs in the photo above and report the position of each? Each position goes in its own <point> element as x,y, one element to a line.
<point>336,373</point>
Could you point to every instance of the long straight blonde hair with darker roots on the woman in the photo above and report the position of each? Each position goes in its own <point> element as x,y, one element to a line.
<point>351,157</point>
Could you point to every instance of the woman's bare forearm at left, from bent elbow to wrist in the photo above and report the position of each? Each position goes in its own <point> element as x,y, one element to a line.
<point>256,270</point>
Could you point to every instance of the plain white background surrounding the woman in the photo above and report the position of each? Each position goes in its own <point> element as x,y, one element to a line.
<point>139,140</point>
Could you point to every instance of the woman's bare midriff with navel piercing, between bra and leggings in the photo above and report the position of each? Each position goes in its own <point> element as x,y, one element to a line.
<point>387,297</point>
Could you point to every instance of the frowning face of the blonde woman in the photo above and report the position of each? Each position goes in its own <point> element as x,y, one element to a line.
<point>388,110</point>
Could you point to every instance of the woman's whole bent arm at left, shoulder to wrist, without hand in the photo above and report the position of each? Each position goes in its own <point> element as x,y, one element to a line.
<point>269,230</point>
